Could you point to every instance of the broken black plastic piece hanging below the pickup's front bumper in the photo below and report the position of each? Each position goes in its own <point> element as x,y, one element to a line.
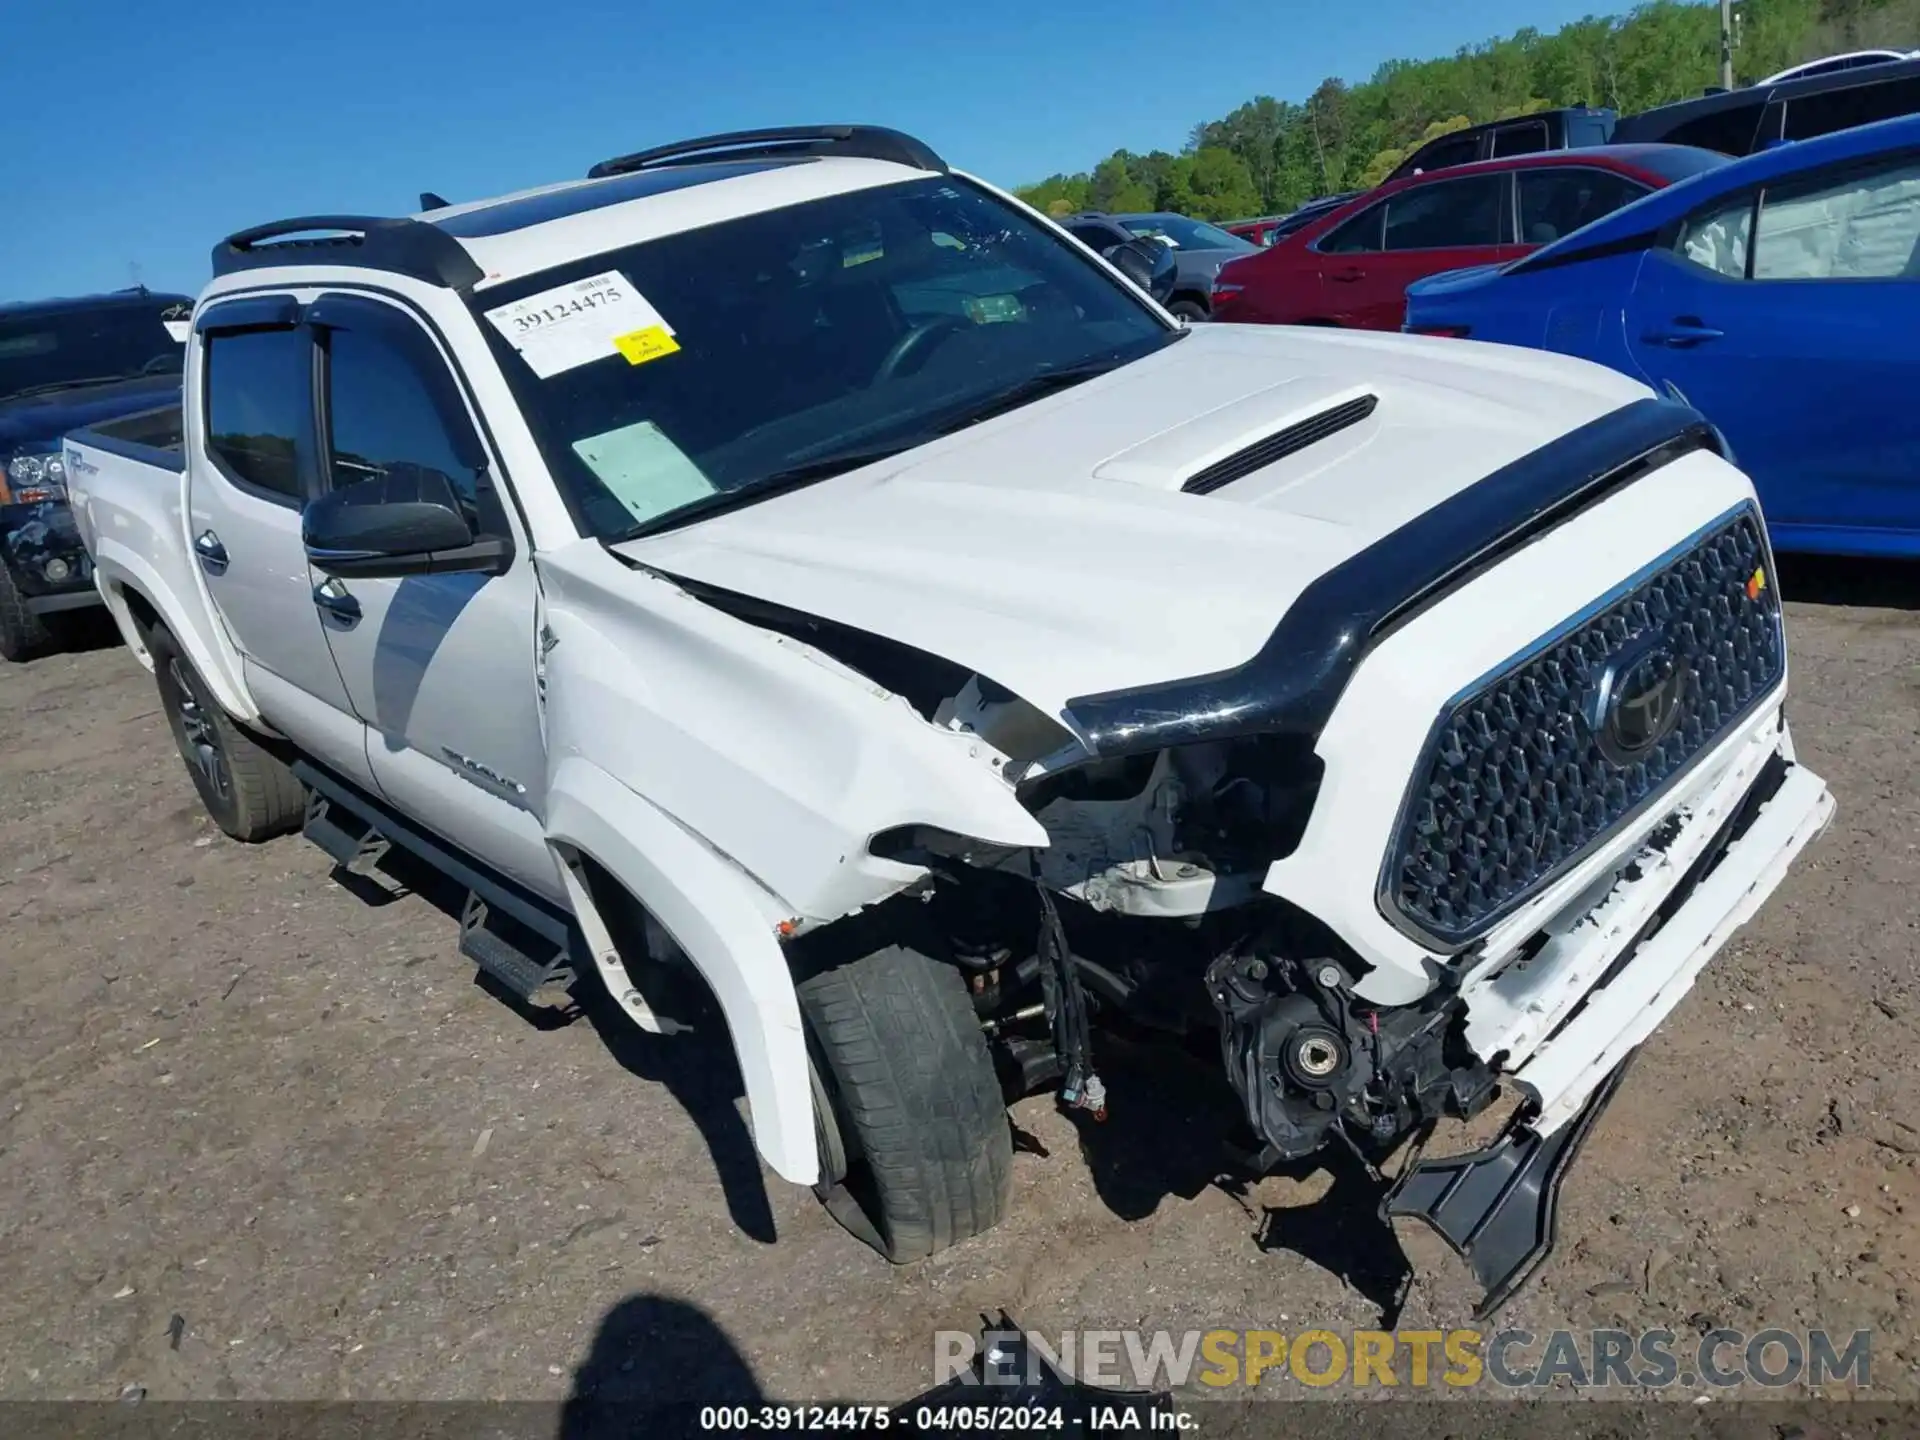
<point>1497,1207</point>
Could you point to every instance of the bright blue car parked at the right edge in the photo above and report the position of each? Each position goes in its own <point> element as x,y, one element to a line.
<point>1779,295</point>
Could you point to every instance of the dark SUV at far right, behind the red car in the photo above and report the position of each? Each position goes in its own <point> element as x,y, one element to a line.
<point>1742,122</point>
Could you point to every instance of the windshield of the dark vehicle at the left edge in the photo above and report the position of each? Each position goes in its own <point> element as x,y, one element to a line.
<point>89,347</point>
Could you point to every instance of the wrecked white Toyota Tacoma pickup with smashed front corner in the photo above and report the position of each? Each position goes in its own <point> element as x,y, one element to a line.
<point>784,562</point>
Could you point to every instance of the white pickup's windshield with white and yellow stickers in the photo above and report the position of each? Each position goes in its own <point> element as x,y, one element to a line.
<point>715,368</point>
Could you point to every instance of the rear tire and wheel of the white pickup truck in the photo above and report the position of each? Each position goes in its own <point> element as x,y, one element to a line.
<point>251,794</point>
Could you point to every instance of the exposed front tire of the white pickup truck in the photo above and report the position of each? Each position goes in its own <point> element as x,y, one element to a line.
<point>917,1122</point>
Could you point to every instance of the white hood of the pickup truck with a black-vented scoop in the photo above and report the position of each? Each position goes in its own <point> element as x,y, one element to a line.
<point>1055,552</point>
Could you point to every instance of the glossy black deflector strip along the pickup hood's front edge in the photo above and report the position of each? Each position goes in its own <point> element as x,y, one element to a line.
<point>1297,679</point>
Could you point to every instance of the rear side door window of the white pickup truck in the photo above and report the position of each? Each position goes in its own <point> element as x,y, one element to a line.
<point>260,400</point>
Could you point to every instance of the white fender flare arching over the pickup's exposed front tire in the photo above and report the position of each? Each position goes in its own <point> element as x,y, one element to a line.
<point>725,926</point>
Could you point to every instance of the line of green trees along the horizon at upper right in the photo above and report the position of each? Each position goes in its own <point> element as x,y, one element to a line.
<point>1270,156</point>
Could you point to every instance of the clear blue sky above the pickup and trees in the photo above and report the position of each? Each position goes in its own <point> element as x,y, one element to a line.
<point>139,133</point>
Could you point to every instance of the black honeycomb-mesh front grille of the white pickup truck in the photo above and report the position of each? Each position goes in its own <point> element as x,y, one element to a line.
<point>1514,786</point>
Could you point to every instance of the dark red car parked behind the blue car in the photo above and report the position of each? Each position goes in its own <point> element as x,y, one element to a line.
<point>1355,264</point>
